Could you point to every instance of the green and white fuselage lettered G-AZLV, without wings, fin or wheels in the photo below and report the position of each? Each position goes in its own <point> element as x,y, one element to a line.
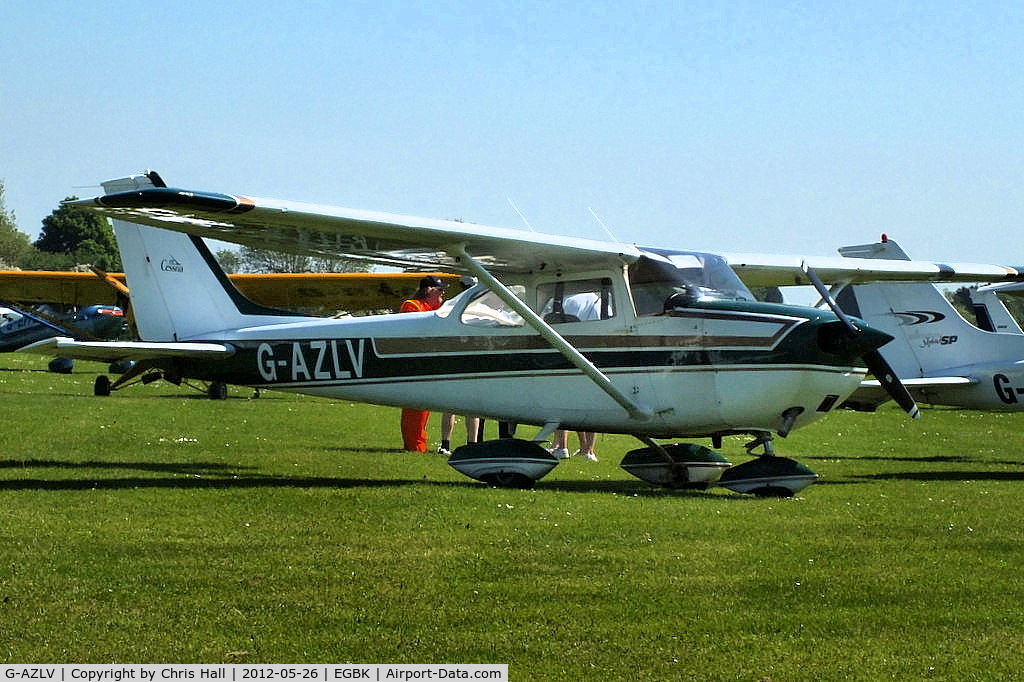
<point>713,365</point>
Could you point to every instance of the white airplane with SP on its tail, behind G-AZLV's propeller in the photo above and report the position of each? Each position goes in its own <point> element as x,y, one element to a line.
<point>942,358</point>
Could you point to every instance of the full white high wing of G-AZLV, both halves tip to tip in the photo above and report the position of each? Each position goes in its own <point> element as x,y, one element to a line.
<point>425,243</point>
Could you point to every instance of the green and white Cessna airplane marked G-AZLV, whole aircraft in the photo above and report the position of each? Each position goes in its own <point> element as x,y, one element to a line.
<point>678,348</point>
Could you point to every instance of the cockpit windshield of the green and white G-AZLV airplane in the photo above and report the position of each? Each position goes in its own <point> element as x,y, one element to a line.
<point>698,277</point>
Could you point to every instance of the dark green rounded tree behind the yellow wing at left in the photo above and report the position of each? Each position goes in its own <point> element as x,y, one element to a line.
<point>82,237</point>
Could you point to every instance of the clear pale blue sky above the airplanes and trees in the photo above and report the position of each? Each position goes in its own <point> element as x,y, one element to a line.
<point>740,126</point>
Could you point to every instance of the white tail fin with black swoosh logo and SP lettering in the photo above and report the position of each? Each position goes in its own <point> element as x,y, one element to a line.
<point>930,336</point>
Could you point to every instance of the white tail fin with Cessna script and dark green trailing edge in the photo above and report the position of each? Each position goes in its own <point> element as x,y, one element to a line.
<point>179,291</point>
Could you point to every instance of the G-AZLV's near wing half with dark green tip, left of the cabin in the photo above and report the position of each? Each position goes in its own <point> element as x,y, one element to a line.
<point>328,231</point>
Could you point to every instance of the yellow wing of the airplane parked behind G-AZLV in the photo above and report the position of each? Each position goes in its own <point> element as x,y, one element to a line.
<point>338,291</point>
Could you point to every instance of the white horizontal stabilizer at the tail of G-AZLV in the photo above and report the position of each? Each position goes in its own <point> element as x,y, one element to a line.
<point>112,352</point>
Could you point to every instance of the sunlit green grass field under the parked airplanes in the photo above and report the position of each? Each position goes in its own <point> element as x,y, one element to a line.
<point>159,527</point>
